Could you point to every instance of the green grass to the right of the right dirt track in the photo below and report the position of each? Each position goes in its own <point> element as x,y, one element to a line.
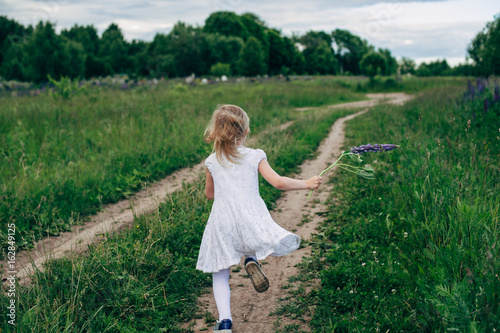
<point>417,249</point>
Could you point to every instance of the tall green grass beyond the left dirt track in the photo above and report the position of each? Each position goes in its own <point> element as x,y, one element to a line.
<point>61,160</point>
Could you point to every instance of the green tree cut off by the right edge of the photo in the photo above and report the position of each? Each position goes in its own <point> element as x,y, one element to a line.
<point>484,49</point>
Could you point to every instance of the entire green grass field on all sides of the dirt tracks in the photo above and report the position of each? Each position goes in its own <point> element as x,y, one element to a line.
<point>144,279</point>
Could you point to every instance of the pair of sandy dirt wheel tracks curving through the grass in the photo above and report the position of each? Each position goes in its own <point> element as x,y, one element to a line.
<point>118,216</point>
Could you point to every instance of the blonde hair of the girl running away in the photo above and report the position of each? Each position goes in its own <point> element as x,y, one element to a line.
<point>228,125</point>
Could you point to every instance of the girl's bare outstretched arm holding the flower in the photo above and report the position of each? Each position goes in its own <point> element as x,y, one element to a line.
<point>285,183</point>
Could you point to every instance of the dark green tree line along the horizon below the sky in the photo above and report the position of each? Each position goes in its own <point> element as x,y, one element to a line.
<point>228,44</point>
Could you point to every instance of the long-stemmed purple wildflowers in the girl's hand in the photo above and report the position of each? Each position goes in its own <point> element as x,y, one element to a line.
<point>366,172</point>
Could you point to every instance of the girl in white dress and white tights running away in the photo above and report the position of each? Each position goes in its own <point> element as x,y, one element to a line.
<point>240,224</point>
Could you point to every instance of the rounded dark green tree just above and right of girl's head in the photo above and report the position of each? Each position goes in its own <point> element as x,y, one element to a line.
<point>252,58</point>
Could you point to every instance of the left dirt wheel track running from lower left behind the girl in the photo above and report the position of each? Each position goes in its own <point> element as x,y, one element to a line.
<point>119,216</point>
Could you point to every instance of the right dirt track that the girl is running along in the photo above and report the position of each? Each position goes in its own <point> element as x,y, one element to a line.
<point>251,310</point>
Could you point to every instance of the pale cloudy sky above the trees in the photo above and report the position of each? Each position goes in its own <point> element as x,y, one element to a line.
<point>423,30</point>
